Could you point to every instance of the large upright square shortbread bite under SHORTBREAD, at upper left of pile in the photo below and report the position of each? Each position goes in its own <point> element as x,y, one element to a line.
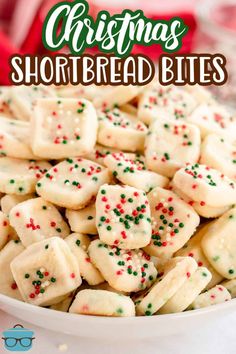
<point>63,128</point>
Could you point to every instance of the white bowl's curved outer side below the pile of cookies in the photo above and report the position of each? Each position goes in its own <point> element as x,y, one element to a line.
<point>109,327</point>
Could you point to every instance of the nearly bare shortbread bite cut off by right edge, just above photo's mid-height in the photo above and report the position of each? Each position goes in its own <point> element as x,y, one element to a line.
<point>220,154</point>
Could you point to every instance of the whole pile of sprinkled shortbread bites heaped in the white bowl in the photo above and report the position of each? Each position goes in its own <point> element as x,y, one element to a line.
<point>117,201</point>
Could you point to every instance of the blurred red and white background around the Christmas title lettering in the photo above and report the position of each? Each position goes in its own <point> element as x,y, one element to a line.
<point>212,26</point>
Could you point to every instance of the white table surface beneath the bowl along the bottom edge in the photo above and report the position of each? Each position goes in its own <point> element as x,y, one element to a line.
<point>219,338</point>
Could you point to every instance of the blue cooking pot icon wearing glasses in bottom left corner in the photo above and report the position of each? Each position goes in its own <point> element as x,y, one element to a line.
<point>18,339</point>
